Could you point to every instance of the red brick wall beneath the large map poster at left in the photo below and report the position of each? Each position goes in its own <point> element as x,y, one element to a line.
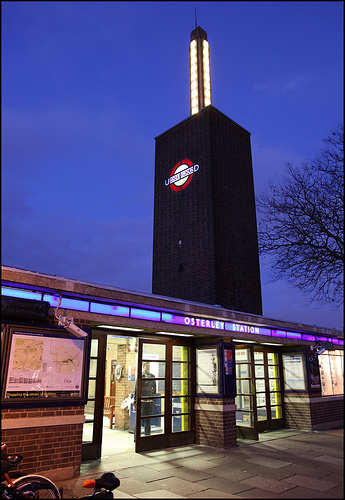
<point>50,439</point>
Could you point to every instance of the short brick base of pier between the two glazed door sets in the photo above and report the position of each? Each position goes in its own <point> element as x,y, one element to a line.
<point>215,421</point>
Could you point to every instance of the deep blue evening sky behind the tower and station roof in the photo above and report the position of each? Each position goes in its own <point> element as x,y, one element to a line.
<point>87,86</point>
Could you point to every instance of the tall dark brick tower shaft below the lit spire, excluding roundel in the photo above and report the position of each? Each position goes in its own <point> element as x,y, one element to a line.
<point>205,236</point>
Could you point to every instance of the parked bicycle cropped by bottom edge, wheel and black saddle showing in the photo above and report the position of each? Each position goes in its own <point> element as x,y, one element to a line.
<point>35,486</point>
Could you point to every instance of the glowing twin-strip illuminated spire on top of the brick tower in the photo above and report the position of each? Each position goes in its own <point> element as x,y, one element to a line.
<point>199,71</point>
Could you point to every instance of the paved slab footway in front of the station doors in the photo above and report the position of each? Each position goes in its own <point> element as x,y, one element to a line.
<point>282,464</point>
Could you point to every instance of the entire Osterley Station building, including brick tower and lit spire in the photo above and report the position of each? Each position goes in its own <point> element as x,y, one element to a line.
<point>75,353</point>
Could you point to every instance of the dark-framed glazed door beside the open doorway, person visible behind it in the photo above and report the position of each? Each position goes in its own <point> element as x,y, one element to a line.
<point>163,395</point>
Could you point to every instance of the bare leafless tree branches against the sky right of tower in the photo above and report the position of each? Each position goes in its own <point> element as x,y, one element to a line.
<point>301,224</point>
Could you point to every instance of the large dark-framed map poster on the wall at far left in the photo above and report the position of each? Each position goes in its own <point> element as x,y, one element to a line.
<point>43,367</point>
